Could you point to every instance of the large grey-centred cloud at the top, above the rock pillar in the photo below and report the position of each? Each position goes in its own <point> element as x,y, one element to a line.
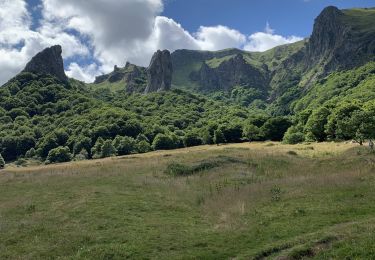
<point>118,29</point>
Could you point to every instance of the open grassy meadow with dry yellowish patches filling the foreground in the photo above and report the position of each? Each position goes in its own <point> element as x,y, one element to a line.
<point>243,201</point>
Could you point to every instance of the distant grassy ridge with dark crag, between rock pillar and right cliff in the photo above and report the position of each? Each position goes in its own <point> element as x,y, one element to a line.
<point>222,70</point>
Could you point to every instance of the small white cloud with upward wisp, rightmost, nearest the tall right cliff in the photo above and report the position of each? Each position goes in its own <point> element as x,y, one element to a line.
<point>262,41</point>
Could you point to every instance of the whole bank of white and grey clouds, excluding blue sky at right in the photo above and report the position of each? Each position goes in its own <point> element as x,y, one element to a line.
<point>108,33</point>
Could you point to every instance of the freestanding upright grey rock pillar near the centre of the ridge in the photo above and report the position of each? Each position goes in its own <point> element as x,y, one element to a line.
<point>159,73</point>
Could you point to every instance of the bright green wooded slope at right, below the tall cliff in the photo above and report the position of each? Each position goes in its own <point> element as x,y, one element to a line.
<point>339,107</point>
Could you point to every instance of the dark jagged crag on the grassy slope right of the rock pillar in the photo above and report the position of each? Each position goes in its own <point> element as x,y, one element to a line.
<point>232,72</point>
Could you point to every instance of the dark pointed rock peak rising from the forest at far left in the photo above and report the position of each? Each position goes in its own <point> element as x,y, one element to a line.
<point>48,61</point>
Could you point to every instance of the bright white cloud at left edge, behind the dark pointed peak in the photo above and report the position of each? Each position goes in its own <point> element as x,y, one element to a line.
<point>18,43</point>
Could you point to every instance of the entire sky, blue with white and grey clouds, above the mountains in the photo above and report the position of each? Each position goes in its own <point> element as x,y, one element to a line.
<point>97,34</point>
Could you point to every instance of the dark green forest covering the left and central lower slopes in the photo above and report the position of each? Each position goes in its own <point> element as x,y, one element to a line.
<point>42,118</point>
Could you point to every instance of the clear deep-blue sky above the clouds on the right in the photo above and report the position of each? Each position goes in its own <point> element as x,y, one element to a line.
<point>287,17</point>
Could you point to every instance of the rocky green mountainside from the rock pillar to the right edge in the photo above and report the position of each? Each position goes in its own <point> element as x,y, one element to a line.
<point>341,40</point>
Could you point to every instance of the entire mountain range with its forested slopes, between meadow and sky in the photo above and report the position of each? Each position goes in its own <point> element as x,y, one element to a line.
<point>321,88</point>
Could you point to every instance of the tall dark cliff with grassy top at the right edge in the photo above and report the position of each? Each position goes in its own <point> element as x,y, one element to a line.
<point>341,40</point>
